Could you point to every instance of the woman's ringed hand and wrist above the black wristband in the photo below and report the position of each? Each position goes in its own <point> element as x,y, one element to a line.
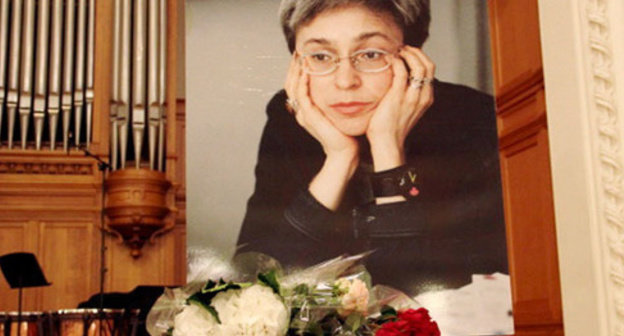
<point>409,96</point>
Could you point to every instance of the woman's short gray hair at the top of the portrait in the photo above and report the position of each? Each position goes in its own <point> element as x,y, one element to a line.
<point>412,16</point>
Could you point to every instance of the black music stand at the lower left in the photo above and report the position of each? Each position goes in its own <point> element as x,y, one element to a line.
<point>21,270</point>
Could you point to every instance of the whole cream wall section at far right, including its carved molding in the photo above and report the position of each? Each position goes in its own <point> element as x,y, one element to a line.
<point>583,55</point>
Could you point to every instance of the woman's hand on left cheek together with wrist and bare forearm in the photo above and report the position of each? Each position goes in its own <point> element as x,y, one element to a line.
<point>341,150</point>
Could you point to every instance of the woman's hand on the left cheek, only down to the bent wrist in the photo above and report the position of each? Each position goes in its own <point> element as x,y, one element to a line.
<point>311,118</point>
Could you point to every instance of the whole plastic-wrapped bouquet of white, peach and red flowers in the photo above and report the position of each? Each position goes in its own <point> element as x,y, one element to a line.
<point>331,298</point>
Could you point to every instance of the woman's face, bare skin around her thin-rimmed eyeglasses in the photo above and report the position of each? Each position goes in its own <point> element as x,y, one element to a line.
<point>348,97</point>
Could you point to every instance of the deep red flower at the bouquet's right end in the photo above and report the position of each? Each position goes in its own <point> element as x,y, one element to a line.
<point>412,322</point>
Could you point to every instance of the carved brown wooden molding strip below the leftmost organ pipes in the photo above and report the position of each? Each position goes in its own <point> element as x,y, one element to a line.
<point>46,168</point>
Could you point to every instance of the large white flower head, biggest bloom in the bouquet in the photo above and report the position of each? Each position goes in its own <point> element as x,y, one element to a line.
<point>251,311</point>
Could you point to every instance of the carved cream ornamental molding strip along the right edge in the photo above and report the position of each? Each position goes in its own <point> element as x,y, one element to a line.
<point>608,141</point>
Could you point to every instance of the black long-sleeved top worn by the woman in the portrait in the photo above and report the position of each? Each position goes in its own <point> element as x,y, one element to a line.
<point>454,228</point>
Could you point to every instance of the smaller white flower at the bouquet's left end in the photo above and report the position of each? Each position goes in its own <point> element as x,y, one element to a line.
<point>194,320</point>
